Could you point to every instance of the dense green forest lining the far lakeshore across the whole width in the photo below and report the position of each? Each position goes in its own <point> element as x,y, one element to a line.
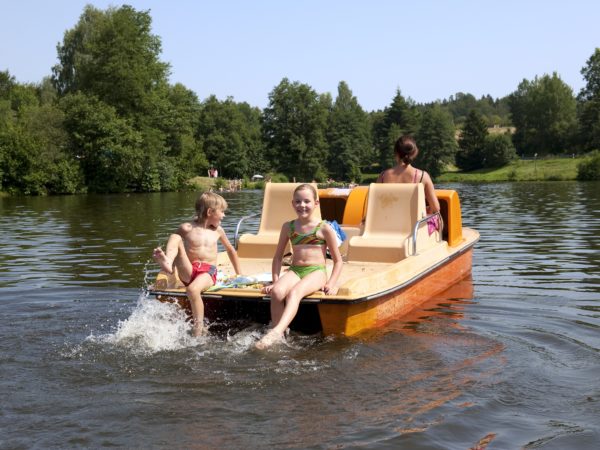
<point>108,120</point>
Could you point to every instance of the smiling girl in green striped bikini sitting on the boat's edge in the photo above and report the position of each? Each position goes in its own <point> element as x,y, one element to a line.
<point>310,237</point>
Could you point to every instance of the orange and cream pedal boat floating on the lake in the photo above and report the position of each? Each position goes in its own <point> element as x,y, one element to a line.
<point>392,264</point>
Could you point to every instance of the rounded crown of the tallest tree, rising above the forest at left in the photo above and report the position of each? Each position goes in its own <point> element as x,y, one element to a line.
<point>113,55</point>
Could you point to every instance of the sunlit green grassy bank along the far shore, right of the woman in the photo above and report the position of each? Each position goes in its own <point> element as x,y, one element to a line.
<point>559,169</point>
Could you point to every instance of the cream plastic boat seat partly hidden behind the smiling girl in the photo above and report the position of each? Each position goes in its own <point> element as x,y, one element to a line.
<point>277,209</point>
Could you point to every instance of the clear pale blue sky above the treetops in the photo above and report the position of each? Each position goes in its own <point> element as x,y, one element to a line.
<point>429,49</point>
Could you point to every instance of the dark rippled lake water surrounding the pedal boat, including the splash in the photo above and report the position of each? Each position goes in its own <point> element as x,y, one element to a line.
<point>509,359</point>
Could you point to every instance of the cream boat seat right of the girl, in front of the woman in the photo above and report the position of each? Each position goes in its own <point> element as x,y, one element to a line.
<point>393,209</point>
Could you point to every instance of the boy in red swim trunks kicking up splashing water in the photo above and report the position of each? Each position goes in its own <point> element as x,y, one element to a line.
<point>193,251</point>
